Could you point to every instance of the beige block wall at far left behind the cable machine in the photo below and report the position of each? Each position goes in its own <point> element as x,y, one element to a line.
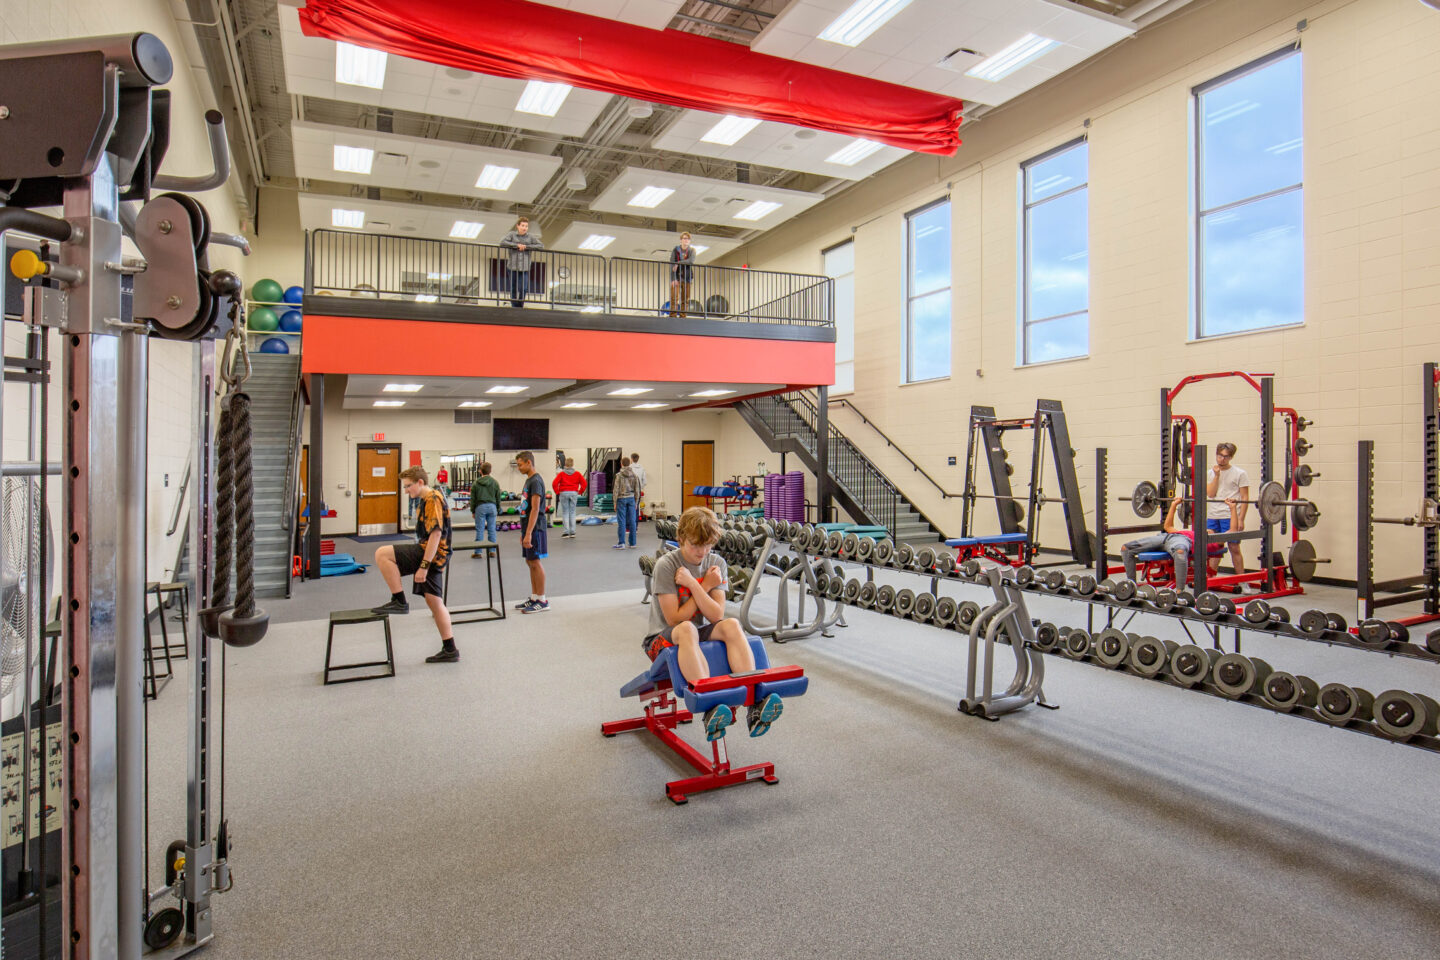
<point>189,155</point>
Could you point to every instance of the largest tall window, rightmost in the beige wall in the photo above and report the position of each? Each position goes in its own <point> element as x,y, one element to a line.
<point>1251,264</point>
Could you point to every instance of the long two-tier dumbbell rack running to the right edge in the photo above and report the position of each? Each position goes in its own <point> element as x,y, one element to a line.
<point>1215,687</point>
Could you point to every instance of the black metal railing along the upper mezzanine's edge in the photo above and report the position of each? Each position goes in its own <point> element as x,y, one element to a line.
<point>346,264</point>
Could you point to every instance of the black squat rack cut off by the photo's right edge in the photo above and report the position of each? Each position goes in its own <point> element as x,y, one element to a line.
<point>1426,585</point>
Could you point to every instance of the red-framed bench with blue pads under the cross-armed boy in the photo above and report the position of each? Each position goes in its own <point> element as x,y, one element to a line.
<point>663,687</point>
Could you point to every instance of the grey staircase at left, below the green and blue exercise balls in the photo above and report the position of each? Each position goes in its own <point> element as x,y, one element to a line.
<point>274,389</point>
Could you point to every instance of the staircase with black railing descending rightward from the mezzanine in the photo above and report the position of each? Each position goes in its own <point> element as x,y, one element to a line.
<point>787,424</point>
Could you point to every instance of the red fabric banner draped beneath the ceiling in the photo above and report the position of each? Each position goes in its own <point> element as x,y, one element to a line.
<point>531,41</point>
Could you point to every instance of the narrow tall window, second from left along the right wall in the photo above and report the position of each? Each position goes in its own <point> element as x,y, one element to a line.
<point>928,293</point>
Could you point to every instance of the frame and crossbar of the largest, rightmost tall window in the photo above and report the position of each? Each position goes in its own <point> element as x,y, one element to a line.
<point>1200,214</point>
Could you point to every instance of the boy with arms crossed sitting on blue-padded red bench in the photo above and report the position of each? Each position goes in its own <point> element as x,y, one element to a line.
<point>689,585</point>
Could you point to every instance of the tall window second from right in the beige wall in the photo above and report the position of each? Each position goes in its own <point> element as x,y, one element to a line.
<point>1056,287</point>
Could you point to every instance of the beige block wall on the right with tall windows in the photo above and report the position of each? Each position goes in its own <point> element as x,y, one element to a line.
<point>1372,289</point>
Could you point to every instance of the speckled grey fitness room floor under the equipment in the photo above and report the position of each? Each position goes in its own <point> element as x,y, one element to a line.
<point>474,810</point>
